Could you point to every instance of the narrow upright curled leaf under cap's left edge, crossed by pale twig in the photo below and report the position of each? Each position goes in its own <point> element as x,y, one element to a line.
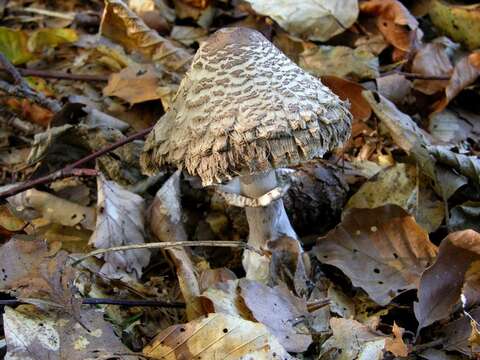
<point>165,220</point>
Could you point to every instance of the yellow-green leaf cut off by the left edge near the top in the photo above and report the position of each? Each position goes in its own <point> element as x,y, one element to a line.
<point>13,44</point>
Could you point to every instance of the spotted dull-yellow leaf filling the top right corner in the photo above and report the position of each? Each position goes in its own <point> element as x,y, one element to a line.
<point>459,22</point>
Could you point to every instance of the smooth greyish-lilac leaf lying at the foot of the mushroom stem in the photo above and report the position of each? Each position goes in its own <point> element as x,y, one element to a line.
<point>279,310</point>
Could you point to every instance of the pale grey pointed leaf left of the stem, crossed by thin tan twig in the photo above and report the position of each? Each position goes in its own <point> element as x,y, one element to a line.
<point>120,221</point>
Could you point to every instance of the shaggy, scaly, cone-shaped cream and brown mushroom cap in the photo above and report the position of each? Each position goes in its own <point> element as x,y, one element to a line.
<point>243,106</point>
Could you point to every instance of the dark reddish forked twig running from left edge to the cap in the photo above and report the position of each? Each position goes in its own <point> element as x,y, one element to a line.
<point>72,169</point>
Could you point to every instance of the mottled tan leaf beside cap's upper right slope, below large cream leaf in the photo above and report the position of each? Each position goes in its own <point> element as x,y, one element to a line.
<point>339,61</point>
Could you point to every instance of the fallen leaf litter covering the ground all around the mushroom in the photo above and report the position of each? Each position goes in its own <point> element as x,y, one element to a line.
<point>389,223</point>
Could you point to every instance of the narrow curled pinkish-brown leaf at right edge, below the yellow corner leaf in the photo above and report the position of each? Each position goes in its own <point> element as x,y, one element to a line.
<point>464,74</point>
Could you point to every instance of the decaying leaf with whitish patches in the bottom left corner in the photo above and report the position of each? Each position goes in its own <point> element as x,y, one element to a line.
<point>34,334</point>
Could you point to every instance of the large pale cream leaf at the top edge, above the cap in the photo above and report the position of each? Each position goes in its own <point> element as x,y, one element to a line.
<point>317,20</point>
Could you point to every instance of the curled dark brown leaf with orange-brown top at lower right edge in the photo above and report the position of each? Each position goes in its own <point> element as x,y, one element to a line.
<point>441,284</point>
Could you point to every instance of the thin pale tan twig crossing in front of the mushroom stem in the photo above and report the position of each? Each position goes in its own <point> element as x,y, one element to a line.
<point>170,244</point>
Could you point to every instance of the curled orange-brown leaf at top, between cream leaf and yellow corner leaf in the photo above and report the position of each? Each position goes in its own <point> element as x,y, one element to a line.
<point>395,22</point>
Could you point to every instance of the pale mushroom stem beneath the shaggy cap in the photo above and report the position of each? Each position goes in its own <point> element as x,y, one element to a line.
<point>265,223</point>
